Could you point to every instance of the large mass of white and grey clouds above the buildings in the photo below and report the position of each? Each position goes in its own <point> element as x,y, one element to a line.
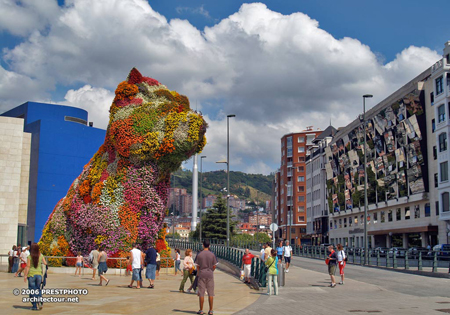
<point>278,73</point>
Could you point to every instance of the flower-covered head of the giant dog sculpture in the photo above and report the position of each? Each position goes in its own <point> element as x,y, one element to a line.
<point>148,122</point>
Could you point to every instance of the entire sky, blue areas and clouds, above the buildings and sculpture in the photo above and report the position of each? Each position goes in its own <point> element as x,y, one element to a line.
<point>278,65</point>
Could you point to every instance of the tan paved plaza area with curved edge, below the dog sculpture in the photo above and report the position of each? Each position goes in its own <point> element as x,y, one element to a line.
<point>117,298</point>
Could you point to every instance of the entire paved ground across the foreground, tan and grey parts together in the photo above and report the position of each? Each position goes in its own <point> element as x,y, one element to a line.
<point>366,290</point>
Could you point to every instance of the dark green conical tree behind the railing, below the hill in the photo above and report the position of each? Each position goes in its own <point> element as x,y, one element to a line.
<point>214,222</point>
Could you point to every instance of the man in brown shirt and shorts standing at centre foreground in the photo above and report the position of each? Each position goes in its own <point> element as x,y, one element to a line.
<point>206,263</point>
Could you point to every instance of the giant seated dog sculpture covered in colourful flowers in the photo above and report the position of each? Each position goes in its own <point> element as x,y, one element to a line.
<point>121,195</point>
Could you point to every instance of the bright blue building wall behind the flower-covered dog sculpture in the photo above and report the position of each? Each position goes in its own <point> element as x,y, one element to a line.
<point>61,144</point>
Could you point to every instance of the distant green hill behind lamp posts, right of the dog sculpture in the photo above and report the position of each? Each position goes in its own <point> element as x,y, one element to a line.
<point>252,187</point>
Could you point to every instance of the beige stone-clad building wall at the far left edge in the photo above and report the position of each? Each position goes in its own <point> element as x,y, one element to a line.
<point>15,146</point>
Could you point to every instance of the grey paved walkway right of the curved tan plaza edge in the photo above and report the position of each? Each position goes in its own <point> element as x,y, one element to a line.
<point>307,292</point>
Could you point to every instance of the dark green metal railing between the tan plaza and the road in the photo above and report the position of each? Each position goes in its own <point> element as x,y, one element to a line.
<point>229,254</point>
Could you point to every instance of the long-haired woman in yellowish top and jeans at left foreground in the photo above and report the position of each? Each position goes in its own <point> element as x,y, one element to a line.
<point>33,274</point>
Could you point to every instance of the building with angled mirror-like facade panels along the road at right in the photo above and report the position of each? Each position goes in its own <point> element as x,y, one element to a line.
<point>407,168</point>
